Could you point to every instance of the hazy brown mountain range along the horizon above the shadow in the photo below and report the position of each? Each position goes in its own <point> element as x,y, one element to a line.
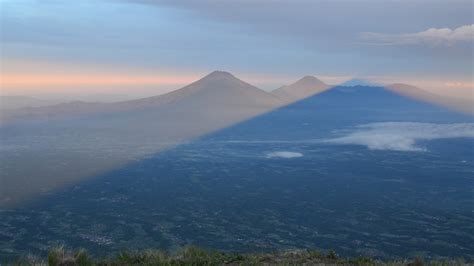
<point>218,91</point>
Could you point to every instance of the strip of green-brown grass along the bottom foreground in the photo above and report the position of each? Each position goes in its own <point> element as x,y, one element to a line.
<point>197,256</point>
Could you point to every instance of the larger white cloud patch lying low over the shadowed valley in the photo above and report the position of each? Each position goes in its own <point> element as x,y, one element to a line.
<point>402,136</point>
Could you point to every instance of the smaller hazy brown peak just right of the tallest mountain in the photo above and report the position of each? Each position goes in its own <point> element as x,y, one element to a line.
<point>305,87</point>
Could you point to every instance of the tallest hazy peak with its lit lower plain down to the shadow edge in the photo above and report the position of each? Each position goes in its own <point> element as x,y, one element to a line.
<point>86,139</point>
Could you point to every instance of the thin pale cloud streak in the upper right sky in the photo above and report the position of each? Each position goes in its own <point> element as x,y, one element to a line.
<point>432,36</point>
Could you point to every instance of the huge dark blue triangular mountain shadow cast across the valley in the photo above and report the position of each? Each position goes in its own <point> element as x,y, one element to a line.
<point>229,191</point>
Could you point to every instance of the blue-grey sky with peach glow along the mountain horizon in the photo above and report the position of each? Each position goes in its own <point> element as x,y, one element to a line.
<point>145,47</point>
